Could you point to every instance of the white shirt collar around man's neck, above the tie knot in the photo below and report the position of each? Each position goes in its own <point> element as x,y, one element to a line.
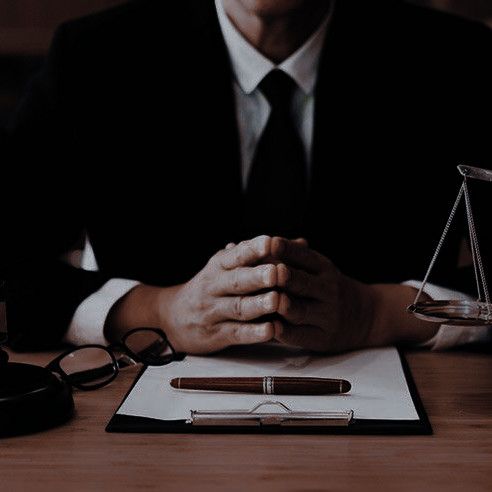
<point>250,66</point>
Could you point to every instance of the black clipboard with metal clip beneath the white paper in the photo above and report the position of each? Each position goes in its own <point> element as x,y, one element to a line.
<point>254,421</point>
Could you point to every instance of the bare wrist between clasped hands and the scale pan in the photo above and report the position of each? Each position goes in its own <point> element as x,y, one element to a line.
<point>391,323</point>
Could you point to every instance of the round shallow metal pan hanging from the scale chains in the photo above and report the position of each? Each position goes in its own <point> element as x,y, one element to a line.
<point>453,312</point>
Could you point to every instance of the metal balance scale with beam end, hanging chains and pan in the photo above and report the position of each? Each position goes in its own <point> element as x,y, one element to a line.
<point>479,312</point>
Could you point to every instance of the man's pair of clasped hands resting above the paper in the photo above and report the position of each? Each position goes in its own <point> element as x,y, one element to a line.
<point>264,289</point>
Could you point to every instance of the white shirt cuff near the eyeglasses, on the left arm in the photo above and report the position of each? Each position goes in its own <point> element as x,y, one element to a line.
<point>87,325</point>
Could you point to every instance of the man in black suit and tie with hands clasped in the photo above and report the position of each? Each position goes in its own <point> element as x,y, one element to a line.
<point>317,140</point>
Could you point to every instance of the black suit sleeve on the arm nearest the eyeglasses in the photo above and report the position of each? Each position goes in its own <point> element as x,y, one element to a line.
<point>43,210</point>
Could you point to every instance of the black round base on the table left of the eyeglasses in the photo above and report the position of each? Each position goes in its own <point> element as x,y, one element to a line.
<point>32,398</point>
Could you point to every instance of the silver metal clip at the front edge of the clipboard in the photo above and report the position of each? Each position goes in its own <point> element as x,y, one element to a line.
<point>284,416</point>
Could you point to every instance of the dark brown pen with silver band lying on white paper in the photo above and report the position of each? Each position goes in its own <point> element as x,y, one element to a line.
<point>268,385</point>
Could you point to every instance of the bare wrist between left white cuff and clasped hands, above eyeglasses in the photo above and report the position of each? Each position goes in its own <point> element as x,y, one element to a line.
<point>143,306</point>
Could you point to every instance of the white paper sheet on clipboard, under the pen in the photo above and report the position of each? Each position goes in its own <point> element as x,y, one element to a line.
<point>379,388</point>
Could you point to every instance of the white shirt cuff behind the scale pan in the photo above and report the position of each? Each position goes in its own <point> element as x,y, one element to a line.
<point>449,336</point>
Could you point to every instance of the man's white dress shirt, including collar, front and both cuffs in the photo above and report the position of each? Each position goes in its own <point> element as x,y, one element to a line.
<point>252,113</point>
